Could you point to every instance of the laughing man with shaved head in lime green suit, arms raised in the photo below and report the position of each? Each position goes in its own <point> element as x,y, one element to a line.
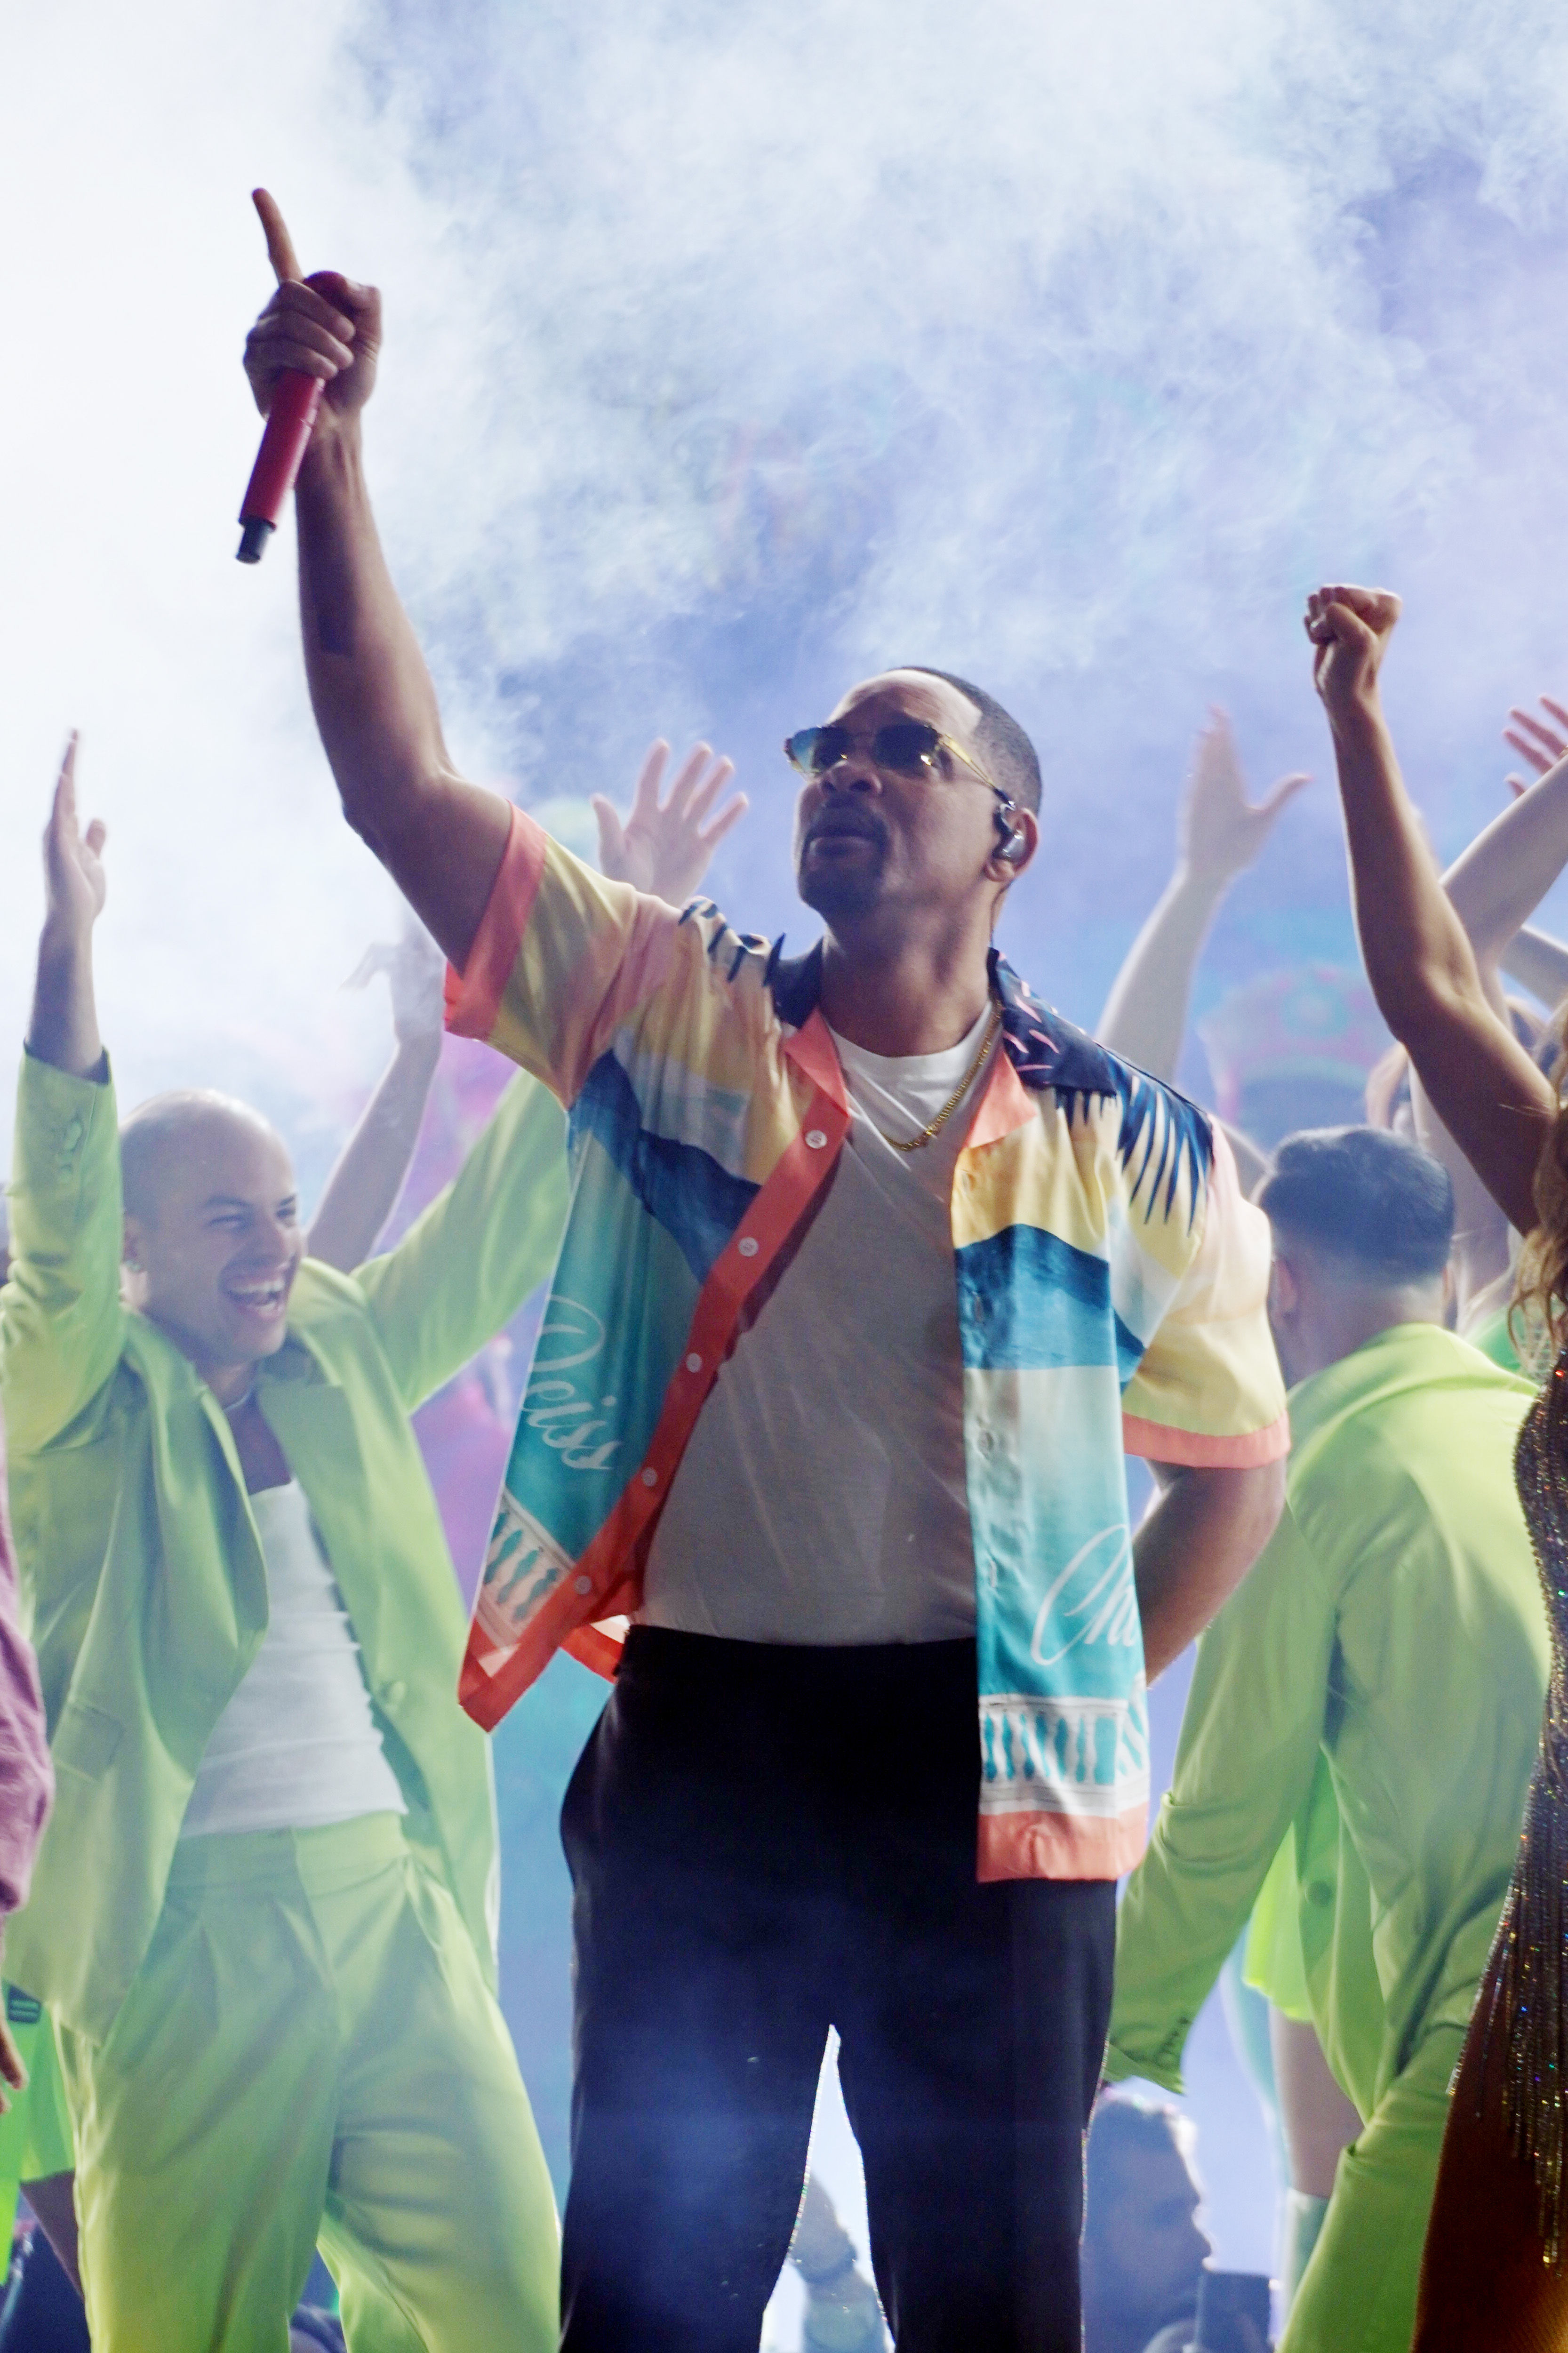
<point>263,1912</point>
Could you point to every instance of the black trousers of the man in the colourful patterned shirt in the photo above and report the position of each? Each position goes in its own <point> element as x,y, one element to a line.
<point>769,1844</point>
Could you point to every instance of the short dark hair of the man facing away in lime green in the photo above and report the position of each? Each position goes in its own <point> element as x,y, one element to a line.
<point>1367,1197</point>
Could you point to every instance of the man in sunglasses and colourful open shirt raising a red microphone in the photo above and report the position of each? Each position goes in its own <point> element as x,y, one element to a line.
<point>870,1269</point>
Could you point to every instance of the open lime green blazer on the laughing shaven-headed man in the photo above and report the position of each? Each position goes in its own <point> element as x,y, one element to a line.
<point>138,1554</point>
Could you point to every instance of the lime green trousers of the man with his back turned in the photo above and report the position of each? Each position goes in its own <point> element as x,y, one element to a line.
<point>1357,2293</point>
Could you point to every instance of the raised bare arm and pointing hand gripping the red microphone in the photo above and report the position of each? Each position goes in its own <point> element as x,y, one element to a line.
<point>439,836</point>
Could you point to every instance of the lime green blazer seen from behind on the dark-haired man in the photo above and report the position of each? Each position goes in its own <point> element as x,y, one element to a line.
<point>1393,1629</point>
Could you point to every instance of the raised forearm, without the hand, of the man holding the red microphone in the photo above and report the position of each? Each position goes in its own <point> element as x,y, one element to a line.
<point>376,707</point>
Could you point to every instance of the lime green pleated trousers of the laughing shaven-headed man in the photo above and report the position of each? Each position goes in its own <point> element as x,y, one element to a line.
<point>307,2053</point>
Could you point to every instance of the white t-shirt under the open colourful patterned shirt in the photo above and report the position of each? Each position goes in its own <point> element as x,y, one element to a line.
<point>823,1493</point>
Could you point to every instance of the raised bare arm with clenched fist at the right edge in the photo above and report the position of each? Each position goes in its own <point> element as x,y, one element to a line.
<point>1418,959</point>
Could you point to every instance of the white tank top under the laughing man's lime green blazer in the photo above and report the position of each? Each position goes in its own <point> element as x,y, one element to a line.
<point>298,1745</point>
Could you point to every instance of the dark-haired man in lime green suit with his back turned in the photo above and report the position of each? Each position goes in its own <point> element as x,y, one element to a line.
<point>1393,1627</point>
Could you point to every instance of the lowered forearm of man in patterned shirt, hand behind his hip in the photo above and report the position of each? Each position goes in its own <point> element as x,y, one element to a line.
<point>1195,1549</point>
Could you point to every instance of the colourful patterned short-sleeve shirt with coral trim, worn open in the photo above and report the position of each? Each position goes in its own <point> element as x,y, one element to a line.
<point>1110,1300</point>
